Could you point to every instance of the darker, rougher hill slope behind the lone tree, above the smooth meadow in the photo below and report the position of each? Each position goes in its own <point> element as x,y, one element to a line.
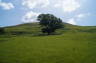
<point>35,29</point>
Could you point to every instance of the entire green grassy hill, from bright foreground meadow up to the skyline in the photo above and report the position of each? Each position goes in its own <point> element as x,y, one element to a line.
<point>22,44</point>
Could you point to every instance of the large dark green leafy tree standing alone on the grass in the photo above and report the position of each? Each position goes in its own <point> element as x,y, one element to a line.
<point>49,23</point>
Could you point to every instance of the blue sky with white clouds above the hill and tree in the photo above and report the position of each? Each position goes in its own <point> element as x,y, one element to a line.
<point>76,12</point>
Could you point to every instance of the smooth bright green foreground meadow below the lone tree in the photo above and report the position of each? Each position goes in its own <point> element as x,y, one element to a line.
<point>67,48</point>
